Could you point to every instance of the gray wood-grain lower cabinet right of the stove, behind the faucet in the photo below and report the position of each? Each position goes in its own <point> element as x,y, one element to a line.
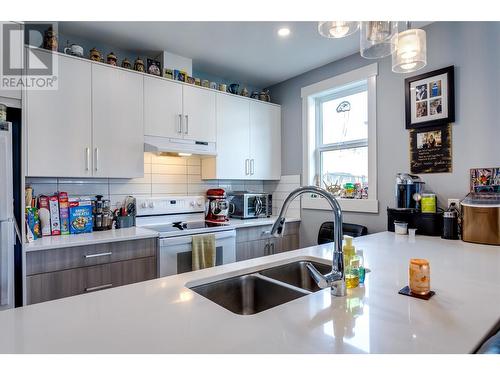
<point>256,242</point>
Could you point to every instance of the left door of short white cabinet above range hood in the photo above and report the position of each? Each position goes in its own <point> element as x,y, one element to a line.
<point>162,108</point>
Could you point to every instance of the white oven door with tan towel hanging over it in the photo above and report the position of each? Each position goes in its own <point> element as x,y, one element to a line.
<point>176,252</point>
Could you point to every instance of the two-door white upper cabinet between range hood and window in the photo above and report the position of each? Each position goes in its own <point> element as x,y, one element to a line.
<point>248,141</point>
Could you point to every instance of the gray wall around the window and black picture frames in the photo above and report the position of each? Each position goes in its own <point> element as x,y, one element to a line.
<point>474,49</point>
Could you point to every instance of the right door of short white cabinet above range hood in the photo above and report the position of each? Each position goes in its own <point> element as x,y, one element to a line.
<point>199,114</point>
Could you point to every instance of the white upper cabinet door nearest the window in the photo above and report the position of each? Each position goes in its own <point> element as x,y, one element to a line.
<point>265,141</point>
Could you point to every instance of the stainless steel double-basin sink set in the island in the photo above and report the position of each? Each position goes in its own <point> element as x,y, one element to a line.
<point>262,290</point>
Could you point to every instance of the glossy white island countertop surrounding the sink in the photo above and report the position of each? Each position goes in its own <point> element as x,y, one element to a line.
<point>163,316</point>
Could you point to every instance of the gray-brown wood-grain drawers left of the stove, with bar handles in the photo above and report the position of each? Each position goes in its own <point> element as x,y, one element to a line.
<point>58,273</point>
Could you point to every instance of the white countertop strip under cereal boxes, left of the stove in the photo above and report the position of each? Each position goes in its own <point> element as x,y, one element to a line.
<point>114,235</point>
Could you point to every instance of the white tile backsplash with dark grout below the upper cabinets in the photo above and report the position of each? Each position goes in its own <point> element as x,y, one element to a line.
<point>163,175</point>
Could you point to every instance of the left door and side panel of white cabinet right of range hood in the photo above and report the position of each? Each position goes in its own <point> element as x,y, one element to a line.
<point>233,146</point>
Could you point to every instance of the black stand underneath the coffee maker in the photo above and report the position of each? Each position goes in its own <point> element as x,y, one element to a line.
<point>428,224</point>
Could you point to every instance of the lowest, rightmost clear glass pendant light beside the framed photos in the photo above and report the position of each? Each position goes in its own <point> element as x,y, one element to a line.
<point>411,51</point>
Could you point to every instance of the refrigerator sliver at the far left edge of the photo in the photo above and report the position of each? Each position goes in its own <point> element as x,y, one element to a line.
<point>7,229</point>
